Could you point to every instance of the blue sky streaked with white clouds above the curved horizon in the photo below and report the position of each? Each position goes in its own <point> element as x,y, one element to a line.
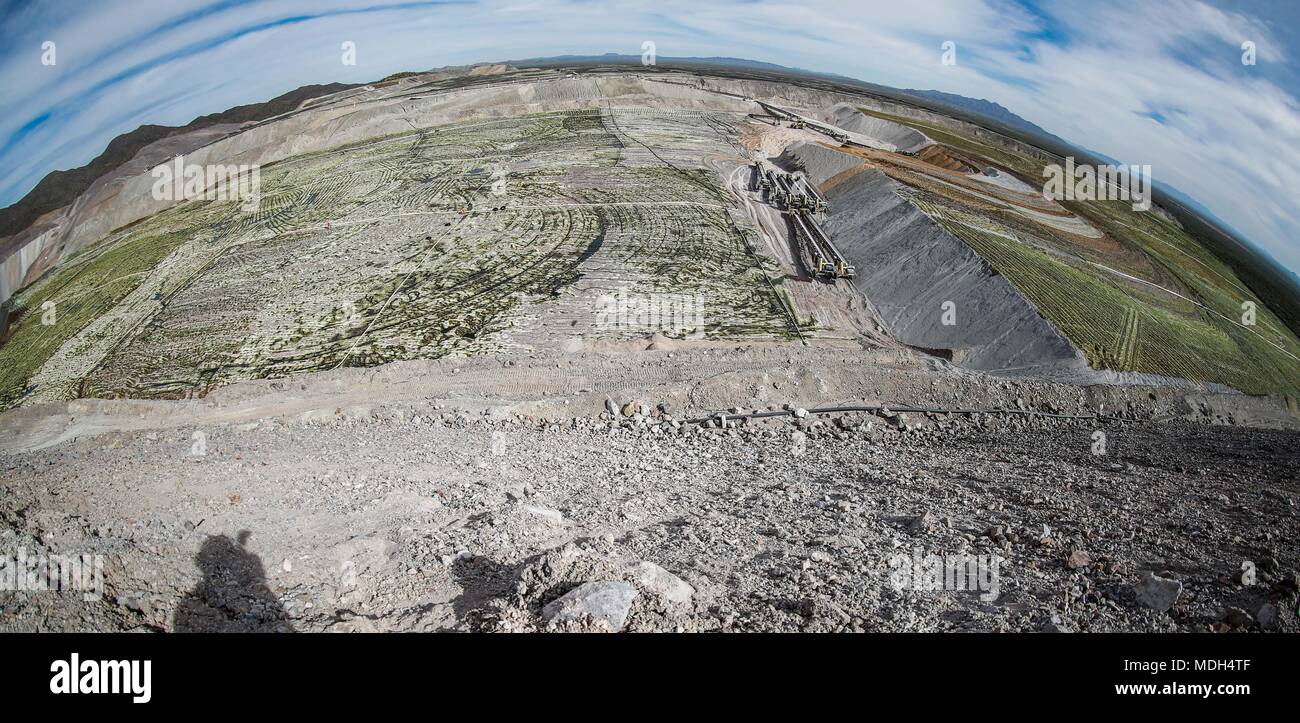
<point>1152,83</point>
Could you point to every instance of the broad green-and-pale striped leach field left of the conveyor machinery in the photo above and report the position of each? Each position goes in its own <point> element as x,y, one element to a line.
<point>466,239</point>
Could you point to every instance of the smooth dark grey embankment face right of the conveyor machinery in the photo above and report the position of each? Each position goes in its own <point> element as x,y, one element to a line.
<point>911,267</point>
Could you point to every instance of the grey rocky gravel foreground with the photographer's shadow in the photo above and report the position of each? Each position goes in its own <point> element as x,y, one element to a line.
<point>453,522</point>
